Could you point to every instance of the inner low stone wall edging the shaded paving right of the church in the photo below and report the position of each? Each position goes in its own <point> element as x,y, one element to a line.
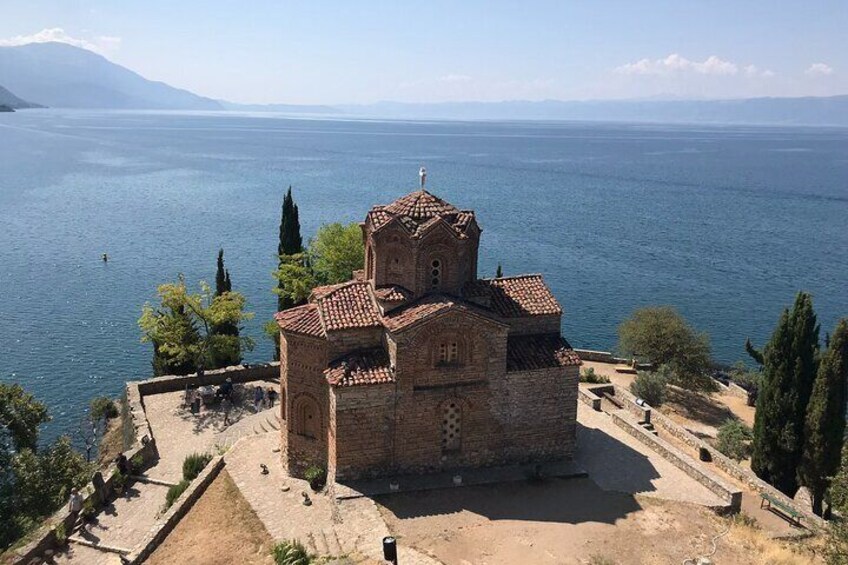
<point>731,496</point>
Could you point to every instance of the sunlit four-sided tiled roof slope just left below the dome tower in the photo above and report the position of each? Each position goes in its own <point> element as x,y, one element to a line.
<point>347,306</point>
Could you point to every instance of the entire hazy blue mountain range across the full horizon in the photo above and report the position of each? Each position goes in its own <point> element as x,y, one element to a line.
<point>63,76</point>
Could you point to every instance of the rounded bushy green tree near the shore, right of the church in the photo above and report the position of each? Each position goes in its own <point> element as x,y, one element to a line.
<point>661,335</point>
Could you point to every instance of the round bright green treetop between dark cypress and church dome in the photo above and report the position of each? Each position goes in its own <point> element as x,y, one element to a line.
<point>336,251</point>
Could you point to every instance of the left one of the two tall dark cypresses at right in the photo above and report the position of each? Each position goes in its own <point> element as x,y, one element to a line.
<point>789,368</point>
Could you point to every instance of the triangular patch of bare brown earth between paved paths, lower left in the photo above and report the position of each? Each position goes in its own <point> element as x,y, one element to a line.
<point>220,529</point>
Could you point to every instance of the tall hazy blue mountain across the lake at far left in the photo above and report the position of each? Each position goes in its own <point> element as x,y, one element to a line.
<point>64,76</point>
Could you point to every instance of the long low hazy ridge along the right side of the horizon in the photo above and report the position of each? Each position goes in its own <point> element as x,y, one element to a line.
<point>827,111</point>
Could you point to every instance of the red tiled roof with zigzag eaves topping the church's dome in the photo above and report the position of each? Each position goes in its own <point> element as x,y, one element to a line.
<point>420,211</point>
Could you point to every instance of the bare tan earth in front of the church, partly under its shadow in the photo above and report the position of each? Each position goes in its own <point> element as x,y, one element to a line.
<point>571,522</point>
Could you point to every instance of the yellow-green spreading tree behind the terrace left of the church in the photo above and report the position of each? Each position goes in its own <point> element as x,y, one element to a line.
<point>200,348</point>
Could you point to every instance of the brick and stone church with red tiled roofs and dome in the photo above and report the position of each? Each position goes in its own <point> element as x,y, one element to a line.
<point>417,365</point>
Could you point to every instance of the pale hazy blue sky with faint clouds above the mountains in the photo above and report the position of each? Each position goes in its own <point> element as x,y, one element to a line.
<point>358,51</point>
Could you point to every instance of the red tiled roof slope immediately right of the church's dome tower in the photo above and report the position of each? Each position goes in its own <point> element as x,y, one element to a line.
<point>513,297</point>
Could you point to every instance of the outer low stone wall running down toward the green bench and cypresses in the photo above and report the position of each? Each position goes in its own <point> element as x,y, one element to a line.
<point>726,464</point>
